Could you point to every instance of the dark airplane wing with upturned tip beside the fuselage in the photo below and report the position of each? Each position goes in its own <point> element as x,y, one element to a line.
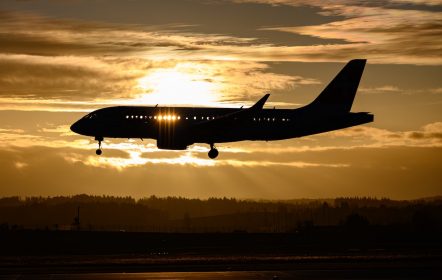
<point>240,114</point>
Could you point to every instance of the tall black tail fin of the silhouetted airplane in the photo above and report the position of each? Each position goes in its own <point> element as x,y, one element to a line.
<point>338,96</point>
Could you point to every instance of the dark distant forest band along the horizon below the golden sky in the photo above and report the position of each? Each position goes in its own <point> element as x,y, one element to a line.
<point>177,214</point>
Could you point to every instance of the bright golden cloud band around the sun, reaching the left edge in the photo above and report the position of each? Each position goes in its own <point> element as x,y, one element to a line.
<point>36,82</point>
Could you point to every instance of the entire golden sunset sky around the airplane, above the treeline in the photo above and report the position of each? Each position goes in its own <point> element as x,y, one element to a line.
<point>62,59</point>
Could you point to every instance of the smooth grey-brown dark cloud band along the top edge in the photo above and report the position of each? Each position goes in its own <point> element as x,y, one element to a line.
<point>205,17</point>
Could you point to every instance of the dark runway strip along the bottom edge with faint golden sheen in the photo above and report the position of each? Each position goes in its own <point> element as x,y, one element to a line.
<point>309,269</point>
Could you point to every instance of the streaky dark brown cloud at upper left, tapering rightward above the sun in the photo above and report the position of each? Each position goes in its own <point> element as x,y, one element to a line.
<point>27,33</point>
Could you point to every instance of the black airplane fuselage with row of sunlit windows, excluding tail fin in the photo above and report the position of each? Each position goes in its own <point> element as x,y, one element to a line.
<point>179,127</point>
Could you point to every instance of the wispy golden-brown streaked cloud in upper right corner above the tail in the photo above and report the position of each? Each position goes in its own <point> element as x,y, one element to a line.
<point>377,31</point>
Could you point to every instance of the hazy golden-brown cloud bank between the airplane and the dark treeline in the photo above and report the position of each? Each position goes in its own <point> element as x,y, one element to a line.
<point>379,172</point>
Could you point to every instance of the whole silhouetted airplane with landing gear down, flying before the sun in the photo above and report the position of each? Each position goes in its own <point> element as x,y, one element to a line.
<point>176,128</point>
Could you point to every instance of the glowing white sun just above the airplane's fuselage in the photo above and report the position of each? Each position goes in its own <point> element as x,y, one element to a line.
<point>178,86</point>
